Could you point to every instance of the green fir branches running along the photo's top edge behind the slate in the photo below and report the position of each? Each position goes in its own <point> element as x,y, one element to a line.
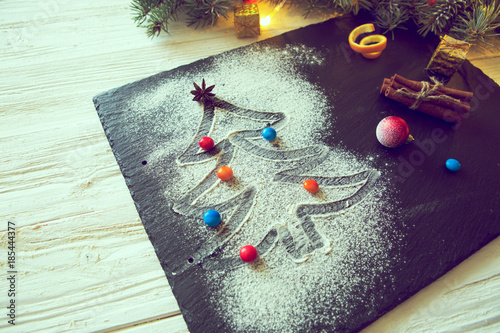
<point>468,20</point>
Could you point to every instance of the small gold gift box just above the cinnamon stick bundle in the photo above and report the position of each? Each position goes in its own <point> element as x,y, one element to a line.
<point>448,57</point>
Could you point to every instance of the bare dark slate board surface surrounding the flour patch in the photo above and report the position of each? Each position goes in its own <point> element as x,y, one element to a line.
<point>447,216</point>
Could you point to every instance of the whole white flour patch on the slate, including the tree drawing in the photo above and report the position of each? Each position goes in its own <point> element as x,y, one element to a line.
<point>321,252</point>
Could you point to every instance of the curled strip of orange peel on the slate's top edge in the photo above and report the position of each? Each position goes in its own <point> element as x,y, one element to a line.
<point>377,42</point>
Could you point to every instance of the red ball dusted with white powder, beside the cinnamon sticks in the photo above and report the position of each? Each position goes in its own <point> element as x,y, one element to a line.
<point>392,132</point>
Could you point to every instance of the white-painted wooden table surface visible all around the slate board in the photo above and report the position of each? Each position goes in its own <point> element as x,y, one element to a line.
<point>83,260</point>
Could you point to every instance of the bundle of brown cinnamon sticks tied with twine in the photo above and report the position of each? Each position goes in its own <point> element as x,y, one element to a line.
<point>445,103</point>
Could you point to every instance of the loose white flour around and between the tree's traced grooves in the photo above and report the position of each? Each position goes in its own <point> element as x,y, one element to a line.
<point>275,294</point>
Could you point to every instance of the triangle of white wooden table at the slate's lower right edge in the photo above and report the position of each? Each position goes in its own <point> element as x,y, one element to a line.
<point>461,301</point>
